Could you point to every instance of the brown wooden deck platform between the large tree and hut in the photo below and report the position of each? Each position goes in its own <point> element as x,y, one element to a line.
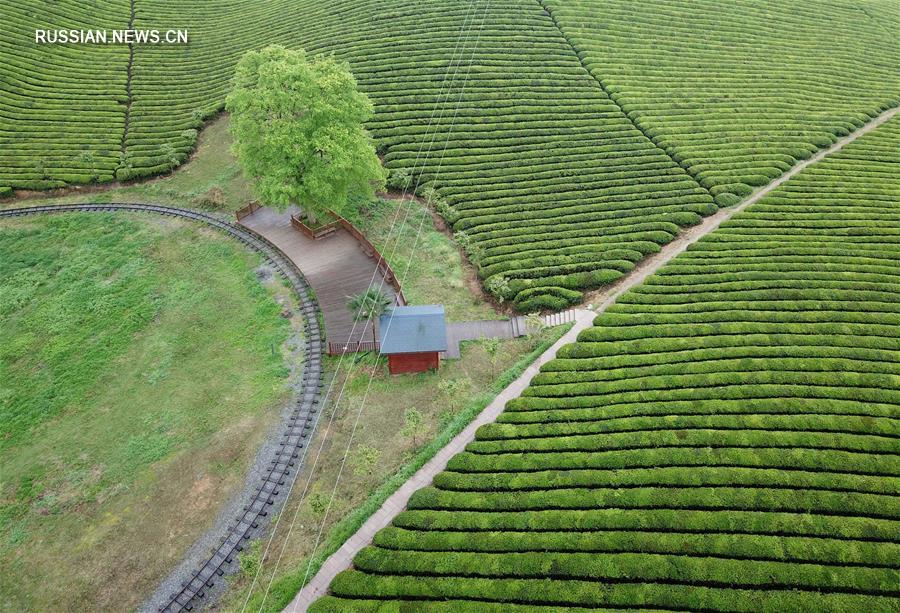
<point>335,266</point>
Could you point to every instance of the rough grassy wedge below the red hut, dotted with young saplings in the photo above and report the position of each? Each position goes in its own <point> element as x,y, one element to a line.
<point>358,495</point>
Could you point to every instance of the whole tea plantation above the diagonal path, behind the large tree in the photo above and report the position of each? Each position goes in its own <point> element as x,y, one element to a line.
<point>491,103</point>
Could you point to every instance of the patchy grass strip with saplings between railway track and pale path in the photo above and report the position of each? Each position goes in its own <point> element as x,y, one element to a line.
<point>379,448</point>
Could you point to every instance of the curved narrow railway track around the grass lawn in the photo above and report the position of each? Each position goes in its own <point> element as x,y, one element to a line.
<point>297,428</point>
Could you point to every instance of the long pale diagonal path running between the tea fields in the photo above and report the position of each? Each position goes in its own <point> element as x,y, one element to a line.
<point>342,559</point>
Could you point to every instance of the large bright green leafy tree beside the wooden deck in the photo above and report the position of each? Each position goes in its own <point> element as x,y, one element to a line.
<point>297,124</point>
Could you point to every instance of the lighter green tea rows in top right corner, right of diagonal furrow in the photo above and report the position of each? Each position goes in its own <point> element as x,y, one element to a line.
<point>738,91</point>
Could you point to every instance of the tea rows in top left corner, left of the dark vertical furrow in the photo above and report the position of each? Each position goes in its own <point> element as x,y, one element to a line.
<point>61,107</point>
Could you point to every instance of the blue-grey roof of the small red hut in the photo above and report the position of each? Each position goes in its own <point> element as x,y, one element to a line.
<point>413,329</point>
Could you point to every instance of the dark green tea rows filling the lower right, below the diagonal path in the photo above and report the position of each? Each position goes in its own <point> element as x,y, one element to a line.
<point>724,438</point>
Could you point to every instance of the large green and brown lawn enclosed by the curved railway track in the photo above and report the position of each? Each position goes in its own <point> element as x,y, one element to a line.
<point>141,363</point>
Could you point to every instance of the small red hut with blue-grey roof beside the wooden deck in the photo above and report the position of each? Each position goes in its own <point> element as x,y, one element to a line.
<point>412,337</point>
